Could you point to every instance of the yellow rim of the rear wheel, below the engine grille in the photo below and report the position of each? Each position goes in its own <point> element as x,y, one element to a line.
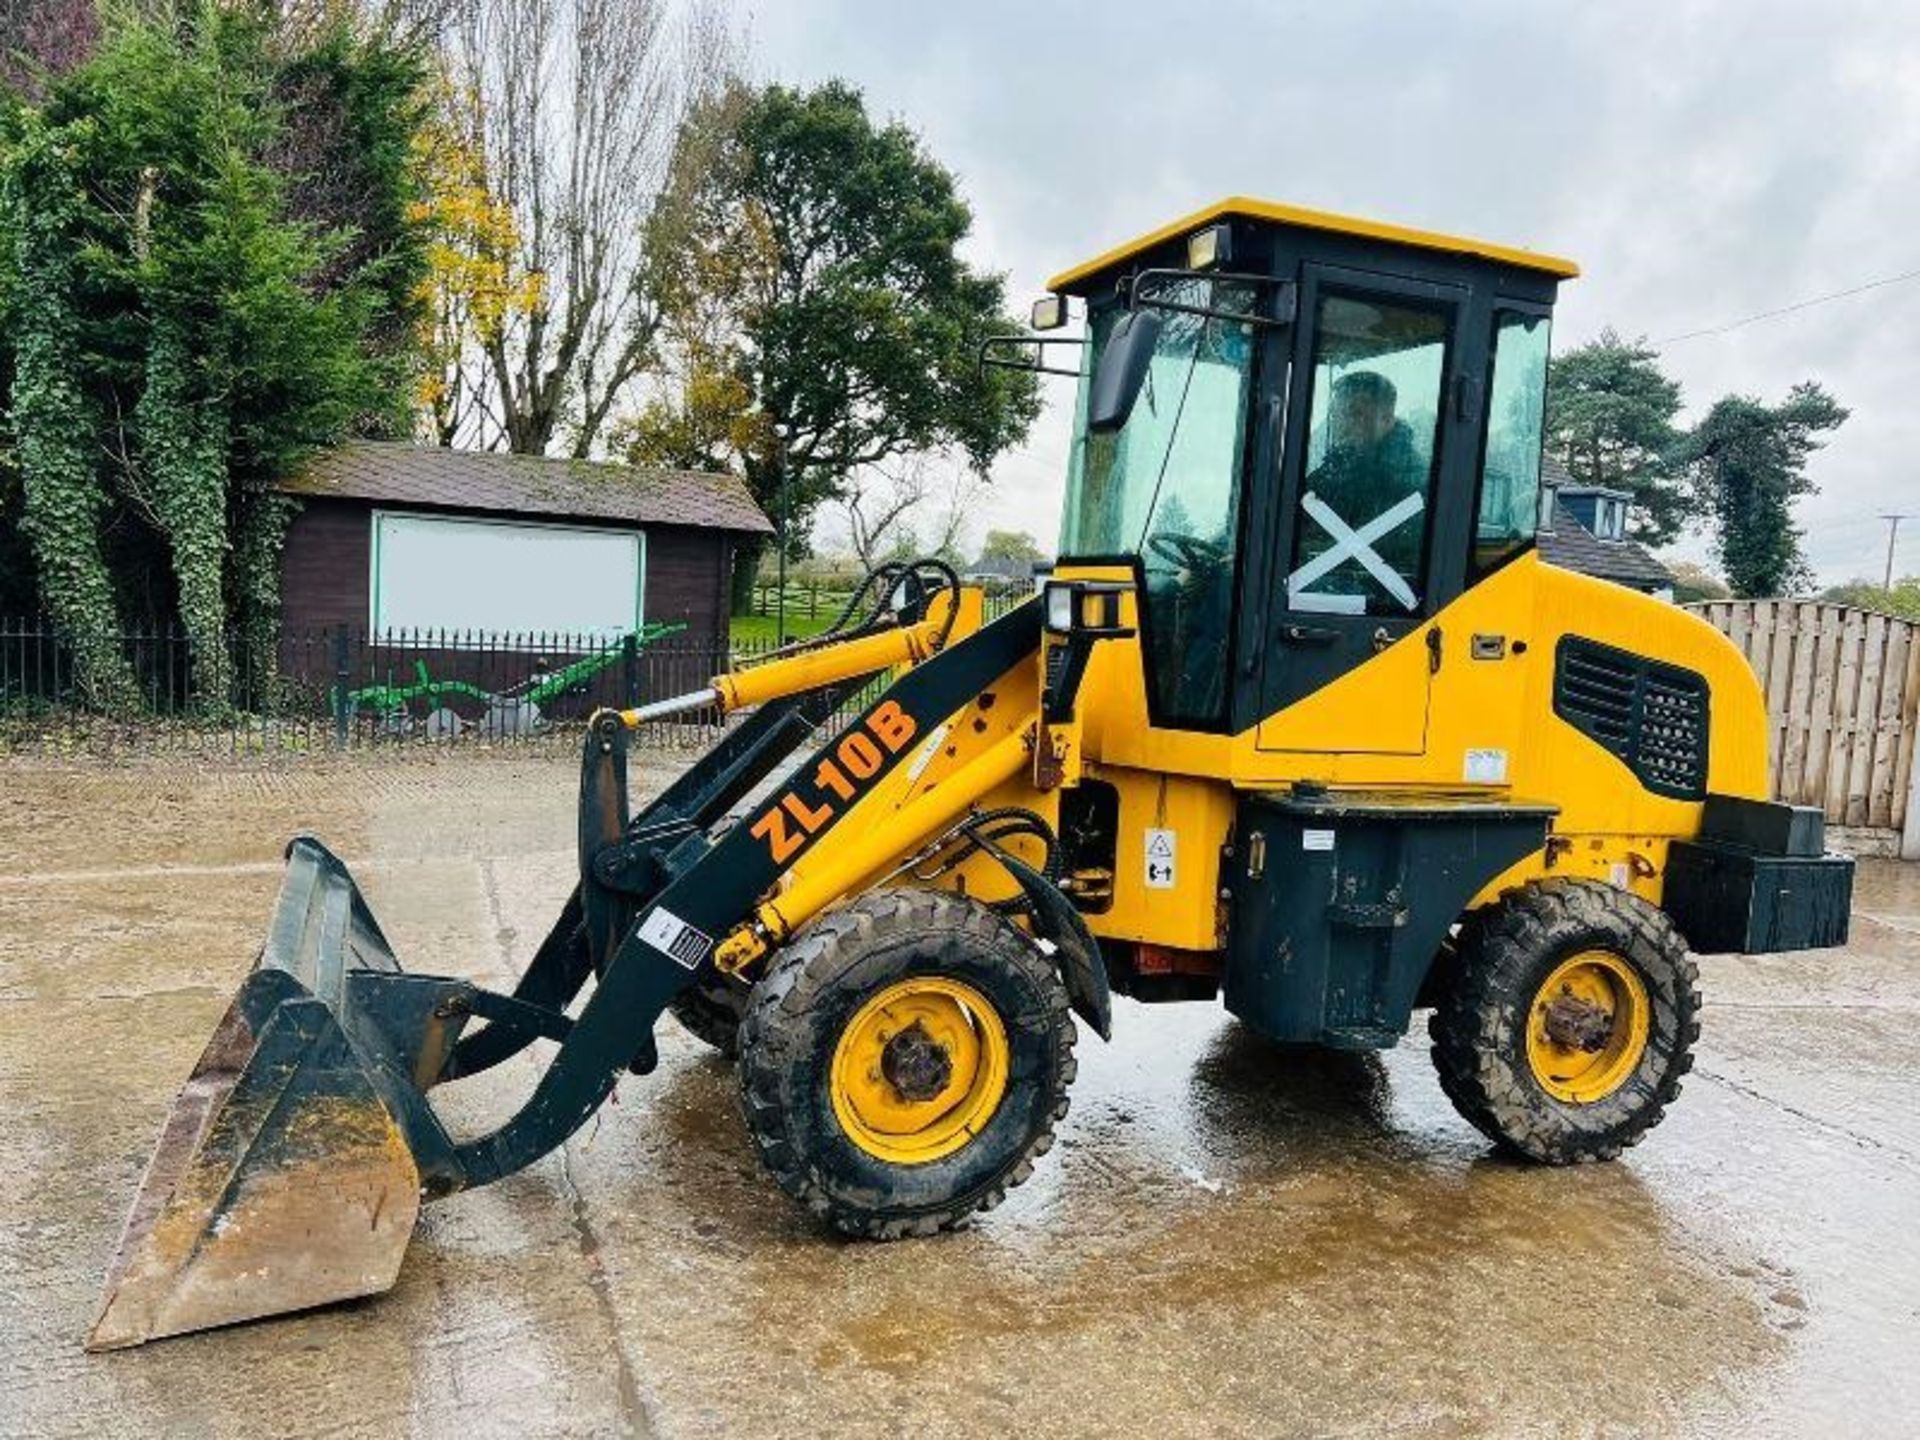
<point>1589,1028</point>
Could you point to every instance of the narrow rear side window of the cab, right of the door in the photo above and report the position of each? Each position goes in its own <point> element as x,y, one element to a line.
<point>1512,510</point>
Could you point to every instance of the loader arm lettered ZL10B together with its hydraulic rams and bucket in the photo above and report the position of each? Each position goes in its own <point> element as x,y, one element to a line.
<point>306,1138</point>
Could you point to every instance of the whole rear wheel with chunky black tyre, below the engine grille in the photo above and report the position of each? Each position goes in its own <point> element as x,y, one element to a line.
<point>1568,1020</point>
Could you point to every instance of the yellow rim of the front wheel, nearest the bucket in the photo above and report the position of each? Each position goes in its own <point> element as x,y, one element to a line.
<point>921,1070</point>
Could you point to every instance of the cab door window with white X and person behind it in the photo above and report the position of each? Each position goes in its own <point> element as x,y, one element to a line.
<point>1374,421</point>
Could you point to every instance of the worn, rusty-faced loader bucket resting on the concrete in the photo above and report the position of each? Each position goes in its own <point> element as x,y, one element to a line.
<point>289,1174</point>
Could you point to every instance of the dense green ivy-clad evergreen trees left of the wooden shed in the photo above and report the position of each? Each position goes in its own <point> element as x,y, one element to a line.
<point>206,272</point>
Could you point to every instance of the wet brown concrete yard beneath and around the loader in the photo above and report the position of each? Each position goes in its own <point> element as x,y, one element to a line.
<point>1230,1239</point>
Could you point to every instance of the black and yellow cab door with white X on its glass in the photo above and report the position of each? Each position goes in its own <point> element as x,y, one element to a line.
<point>1376,483</point>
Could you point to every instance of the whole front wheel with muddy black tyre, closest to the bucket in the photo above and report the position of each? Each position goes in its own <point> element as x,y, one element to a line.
<point>905,1061</point>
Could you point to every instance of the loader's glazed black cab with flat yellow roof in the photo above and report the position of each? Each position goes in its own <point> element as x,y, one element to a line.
<point>1307,435</point>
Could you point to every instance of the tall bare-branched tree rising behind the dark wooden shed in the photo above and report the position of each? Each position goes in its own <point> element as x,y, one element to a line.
<point>573,108</point>
